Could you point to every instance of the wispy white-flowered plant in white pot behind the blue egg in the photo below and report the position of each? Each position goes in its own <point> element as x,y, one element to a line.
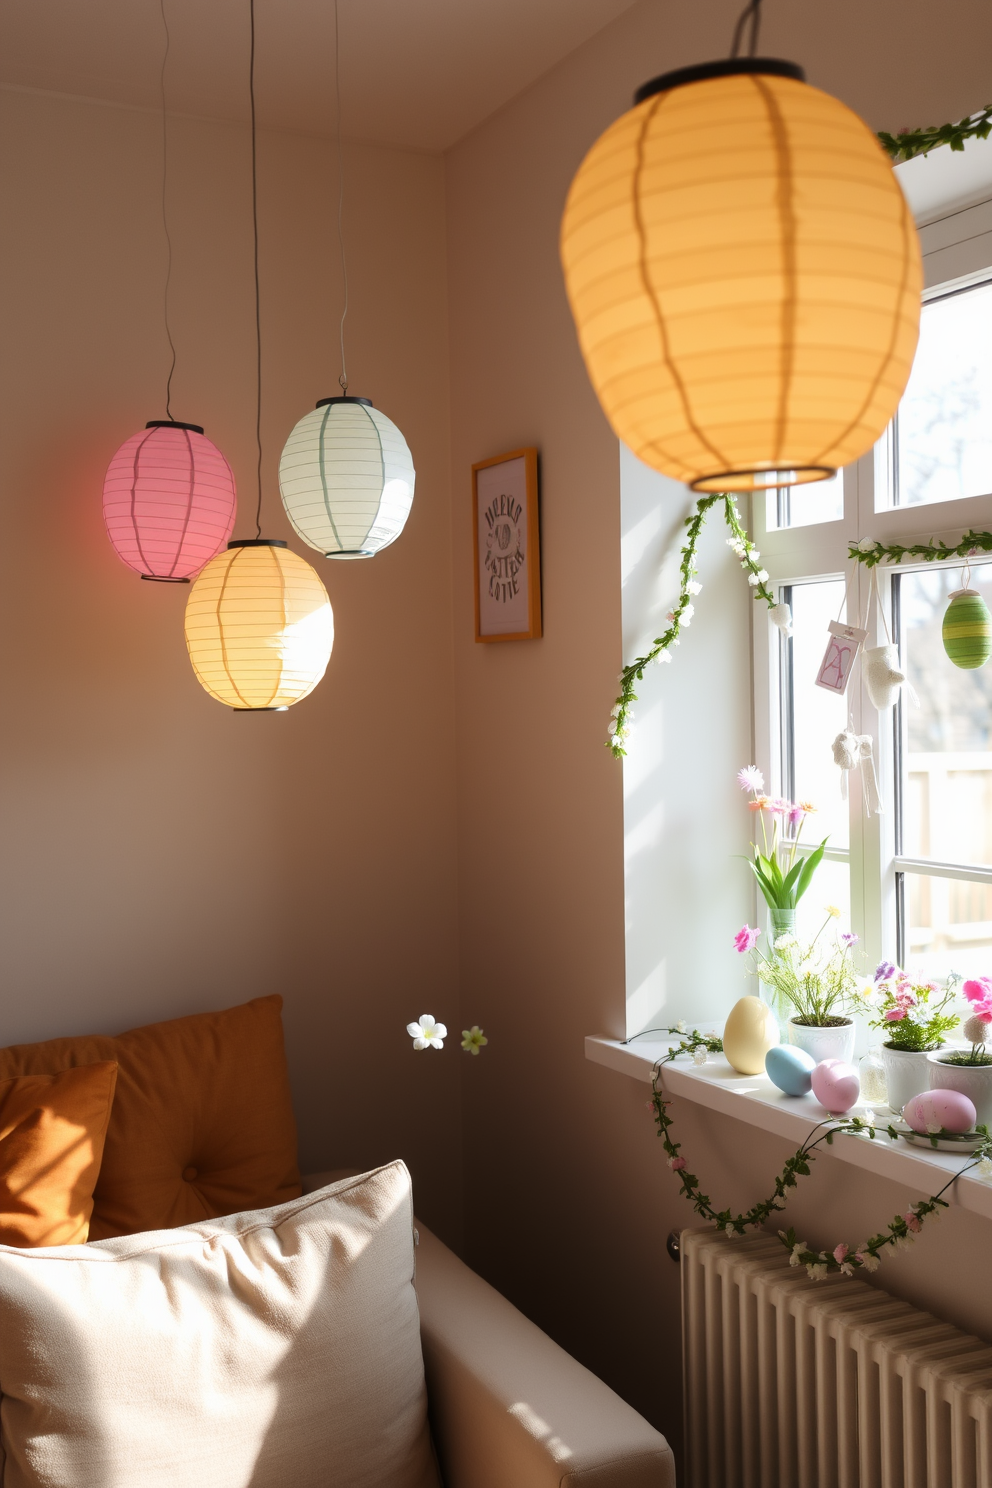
<point>813,986</point>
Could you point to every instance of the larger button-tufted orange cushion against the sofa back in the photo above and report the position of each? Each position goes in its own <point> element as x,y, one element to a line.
<point>203,1121</point>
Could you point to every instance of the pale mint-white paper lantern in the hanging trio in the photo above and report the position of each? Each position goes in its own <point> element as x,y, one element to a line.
<point>347,478</point>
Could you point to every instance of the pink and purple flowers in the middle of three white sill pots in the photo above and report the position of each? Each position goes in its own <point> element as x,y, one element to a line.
<point>915,1017</point>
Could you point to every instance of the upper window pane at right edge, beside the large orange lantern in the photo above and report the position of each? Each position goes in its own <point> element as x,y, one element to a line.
<point>945,420</point>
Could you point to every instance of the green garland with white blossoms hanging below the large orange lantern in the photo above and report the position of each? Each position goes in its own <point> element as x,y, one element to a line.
<point>682,614</point>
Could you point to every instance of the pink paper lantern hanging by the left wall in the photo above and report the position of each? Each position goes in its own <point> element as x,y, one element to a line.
<point>169,502</point>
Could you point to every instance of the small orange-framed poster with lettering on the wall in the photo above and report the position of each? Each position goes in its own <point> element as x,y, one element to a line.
<point>505,523</point>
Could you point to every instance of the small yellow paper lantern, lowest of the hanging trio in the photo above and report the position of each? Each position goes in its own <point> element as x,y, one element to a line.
<point>260,627</point>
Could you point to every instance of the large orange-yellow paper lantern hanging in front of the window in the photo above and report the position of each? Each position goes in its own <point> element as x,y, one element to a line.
<point>746,278</point>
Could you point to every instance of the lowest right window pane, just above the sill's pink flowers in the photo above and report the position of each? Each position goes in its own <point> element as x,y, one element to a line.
<point>950,926</point>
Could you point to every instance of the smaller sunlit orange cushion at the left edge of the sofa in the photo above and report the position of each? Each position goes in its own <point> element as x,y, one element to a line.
<point>53,1130</point>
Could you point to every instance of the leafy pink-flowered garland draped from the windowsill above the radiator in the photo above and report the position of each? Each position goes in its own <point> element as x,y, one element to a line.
<point>846,1260</point>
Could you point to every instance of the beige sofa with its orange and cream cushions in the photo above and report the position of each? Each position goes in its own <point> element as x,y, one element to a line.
<point>239,1327</point>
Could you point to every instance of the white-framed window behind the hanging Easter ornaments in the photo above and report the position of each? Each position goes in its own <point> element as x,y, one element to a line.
<point>917,880</point>
